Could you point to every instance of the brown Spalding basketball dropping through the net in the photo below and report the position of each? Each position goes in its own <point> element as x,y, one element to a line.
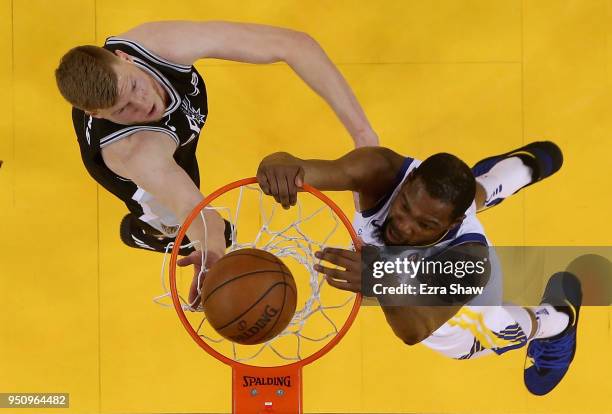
<point>249,296</point>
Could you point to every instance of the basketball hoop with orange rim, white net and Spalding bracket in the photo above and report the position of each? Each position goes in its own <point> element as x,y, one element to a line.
<point>272,388</point>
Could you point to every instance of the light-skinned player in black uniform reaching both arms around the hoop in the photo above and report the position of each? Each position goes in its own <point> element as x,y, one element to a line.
<point>139,106</point>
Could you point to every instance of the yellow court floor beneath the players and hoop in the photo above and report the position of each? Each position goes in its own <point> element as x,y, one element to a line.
<point>470,77</point>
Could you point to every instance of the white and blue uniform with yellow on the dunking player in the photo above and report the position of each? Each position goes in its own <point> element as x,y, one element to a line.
<point>478,328</point>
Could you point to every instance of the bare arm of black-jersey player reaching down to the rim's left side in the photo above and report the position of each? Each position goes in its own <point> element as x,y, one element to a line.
<point>146,158</point>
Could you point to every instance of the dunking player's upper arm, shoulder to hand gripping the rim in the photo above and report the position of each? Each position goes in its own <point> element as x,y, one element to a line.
<point>368,171</point>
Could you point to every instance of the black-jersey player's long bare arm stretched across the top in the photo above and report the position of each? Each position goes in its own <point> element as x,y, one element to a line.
<point>185,42</point>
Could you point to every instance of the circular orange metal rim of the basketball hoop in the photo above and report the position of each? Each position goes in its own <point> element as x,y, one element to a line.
<point>174,257</point>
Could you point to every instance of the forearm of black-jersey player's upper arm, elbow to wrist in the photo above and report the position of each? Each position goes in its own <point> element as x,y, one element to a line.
<point>311,64</point>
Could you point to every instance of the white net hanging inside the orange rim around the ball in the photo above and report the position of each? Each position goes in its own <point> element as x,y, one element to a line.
<point>293,235</point>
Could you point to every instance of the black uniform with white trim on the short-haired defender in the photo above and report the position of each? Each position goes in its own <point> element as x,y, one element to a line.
<point>182,122</point>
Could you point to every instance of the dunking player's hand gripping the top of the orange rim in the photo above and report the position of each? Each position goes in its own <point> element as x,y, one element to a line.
<point>280,179</point>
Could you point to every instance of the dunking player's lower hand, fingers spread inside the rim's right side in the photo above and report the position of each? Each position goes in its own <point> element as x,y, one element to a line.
<point>347,279</point>
